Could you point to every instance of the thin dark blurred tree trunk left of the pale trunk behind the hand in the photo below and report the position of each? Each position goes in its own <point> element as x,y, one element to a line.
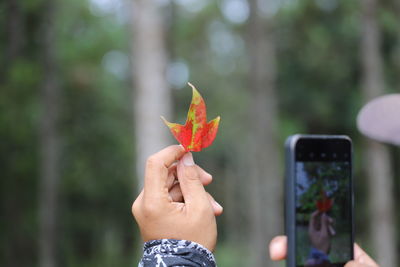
<point>49,143</point>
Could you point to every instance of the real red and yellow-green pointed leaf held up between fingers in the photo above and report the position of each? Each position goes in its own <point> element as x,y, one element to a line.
<point>196,134</point>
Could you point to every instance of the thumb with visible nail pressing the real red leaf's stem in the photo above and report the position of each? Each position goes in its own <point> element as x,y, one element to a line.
<point>193,191</point>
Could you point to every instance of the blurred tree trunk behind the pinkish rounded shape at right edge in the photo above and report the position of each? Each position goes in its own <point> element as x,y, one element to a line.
<point>377,164</point>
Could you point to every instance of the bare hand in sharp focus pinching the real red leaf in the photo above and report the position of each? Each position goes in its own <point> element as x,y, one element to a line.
<point>158,210</point>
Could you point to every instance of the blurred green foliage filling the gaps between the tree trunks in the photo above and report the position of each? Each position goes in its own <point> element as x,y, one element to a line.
<point>318,92</point>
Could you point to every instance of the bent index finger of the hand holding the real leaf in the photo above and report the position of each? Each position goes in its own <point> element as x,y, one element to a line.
<point>156,173</point>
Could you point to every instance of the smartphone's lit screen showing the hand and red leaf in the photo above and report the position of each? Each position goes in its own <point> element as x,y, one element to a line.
<point>323,208</point>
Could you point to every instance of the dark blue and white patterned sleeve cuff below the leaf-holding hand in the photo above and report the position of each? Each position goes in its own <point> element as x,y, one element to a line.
<point>172,252</point>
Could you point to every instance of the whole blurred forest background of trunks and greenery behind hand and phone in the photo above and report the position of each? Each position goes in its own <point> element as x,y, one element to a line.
<point>83,83</point>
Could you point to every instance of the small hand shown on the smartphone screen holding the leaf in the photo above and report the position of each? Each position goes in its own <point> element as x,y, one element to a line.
<point>319,231</point>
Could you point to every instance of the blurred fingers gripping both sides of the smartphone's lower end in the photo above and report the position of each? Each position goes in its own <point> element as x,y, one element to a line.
<point>278,251</point>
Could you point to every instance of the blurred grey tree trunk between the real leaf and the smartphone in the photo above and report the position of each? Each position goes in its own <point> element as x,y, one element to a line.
<point>264,175</point>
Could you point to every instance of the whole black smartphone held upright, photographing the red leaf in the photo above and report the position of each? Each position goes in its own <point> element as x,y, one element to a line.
<point>319,200</point>
